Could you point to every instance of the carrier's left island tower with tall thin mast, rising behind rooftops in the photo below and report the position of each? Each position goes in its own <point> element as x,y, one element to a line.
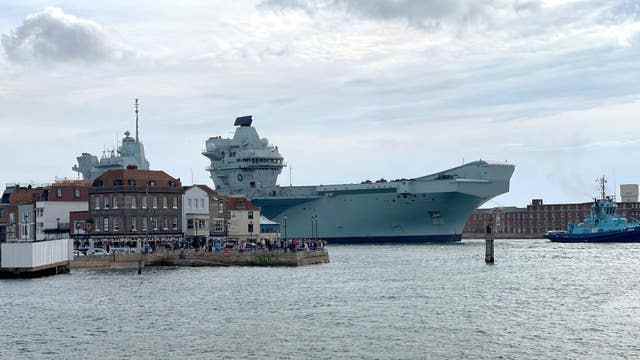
<point>129,153</point>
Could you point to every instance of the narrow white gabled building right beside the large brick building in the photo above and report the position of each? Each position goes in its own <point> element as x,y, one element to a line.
<point>195,212</point>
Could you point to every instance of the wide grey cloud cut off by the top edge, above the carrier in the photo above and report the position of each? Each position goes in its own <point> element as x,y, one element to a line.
<point>422,13</point>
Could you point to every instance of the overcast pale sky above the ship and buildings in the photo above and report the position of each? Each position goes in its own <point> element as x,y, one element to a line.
<point>348,89</point>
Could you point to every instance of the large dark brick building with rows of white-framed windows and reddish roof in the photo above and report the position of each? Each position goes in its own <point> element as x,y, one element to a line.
<point>130,205</point>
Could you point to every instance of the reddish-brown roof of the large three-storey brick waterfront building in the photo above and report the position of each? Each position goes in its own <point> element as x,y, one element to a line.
<point>139,177</point>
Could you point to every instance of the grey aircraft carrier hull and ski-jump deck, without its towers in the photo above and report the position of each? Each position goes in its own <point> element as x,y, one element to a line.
<point>420,210</point>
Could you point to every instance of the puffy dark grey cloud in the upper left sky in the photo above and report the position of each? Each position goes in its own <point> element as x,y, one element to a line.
<point>51,36</point>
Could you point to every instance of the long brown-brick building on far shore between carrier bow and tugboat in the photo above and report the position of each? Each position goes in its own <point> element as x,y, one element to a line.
<point>537,218</point>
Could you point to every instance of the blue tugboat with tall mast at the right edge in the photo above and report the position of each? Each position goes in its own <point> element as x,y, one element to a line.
<point>602,225</point>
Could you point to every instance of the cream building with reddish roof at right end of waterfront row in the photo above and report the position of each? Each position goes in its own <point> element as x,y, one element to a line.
<point>244,219</point>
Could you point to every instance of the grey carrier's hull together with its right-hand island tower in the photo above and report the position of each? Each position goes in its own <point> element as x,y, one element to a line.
<point>432,208</point>
